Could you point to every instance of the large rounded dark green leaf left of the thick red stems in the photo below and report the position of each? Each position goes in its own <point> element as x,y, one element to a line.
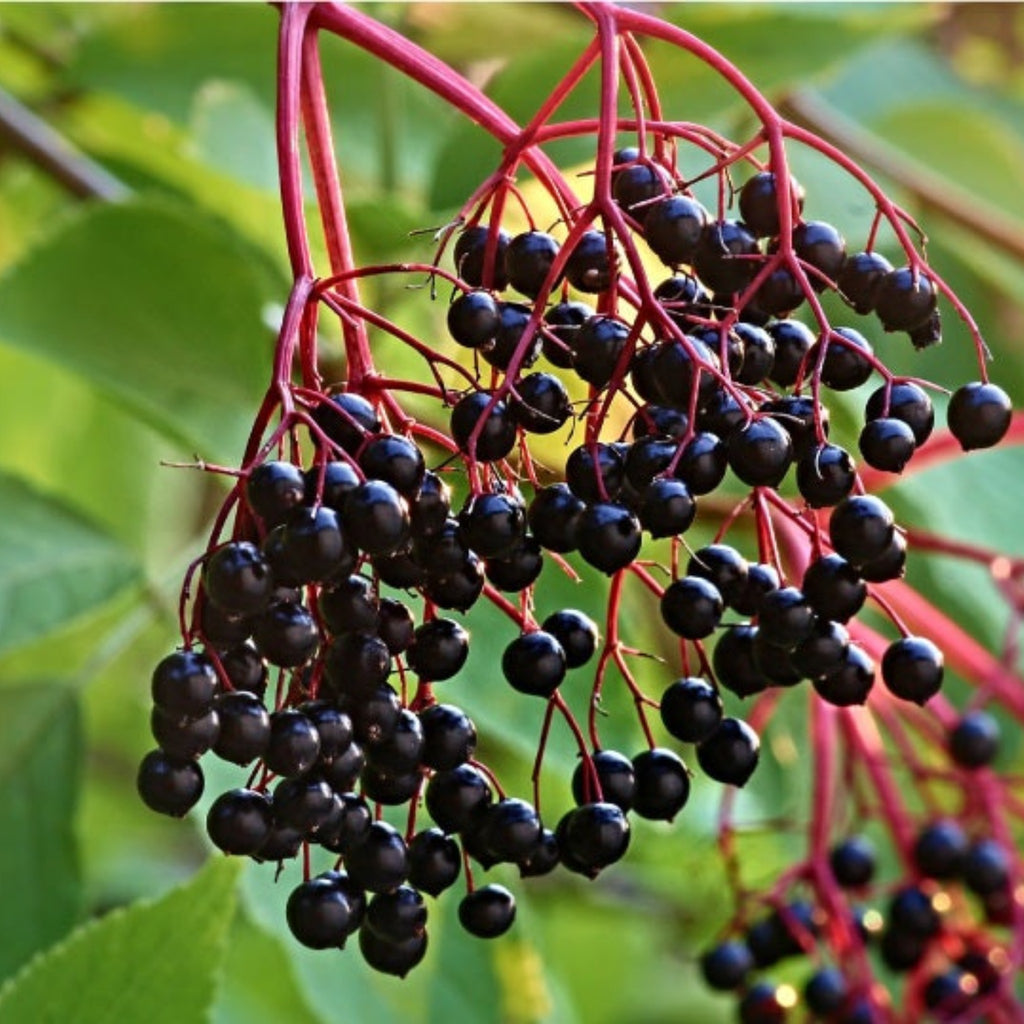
<point>157,307</point>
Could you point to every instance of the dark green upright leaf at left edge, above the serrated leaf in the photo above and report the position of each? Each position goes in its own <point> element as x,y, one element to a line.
<point>40,770</point>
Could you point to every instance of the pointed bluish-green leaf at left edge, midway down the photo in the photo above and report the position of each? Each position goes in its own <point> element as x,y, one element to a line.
<point>56,566</point>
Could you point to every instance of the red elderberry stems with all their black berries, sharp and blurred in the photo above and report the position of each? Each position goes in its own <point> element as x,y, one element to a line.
<point>305,663</point>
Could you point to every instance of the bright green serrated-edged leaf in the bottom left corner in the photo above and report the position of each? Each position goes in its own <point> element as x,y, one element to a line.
<point>153,962</point>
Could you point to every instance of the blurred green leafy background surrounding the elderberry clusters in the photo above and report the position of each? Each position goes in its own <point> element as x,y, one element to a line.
<point>140,330</point>
